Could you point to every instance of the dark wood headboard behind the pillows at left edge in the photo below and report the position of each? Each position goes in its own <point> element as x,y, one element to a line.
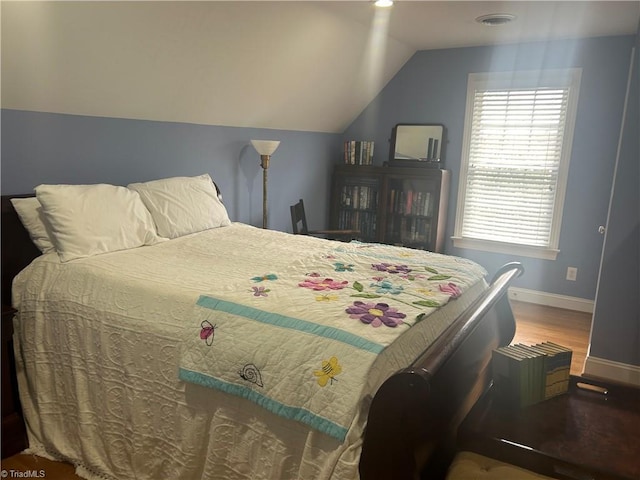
<point>17,248</point>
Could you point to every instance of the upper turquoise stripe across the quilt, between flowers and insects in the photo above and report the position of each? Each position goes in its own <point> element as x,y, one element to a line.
<point>289,322</point>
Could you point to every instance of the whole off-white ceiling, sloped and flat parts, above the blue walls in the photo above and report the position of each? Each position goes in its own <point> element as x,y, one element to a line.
<point>296,65</point>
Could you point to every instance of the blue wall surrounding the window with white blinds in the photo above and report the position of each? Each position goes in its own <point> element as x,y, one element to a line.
<point>431,88</point>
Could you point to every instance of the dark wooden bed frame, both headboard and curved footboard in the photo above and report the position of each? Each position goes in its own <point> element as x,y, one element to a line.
<point>414,416</point>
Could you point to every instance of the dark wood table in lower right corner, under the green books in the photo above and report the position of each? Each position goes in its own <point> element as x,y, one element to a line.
<point>585,434</point>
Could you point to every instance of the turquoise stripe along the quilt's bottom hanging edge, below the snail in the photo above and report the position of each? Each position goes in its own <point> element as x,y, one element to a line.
<point>292,413</point>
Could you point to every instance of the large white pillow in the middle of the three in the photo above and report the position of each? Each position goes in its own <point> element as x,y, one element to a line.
<point>88,220</point>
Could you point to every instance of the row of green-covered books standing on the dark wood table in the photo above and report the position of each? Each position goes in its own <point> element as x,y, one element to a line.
<point>527,374</point>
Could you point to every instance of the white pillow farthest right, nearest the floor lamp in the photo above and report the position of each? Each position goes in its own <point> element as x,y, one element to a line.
<point>183,205</point>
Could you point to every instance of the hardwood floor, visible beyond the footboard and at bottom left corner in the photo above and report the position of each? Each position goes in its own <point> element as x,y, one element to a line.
<point>534,324</point>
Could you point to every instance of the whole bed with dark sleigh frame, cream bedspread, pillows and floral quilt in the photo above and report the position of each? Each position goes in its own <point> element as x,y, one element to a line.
<point>236,352</point>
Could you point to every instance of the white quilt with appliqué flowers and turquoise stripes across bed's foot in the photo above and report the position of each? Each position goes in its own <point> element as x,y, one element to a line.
<point>302,339</point>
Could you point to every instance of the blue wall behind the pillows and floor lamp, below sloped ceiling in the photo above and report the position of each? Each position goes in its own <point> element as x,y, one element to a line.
<point>53,148</point>
